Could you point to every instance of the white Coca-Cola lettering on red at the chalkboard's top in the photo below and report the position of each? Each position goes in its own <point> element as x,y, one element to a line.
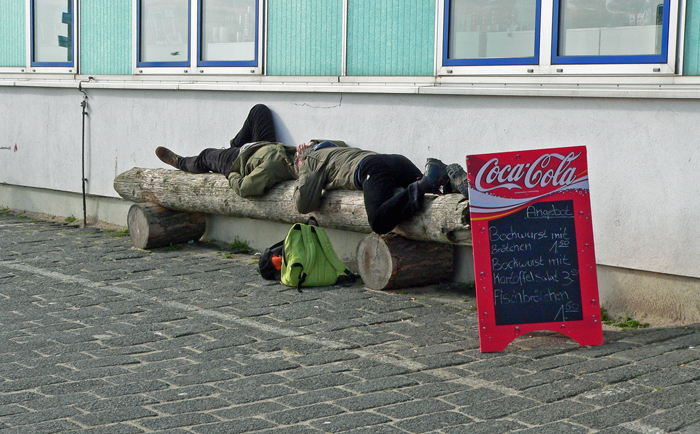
<point>540,173</point>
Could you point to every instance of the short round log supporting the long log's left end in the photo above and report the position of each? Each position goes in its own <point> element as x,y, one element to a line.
<point>151,226</point>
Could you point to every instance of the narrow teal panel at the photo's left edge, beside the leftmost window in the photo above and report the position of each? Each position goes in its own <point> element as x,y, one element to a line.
<point>13,33</point>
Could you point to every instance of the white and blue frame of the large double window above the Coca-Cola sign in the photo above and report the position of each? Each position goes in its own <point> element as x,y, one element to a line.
<point>549,64</point>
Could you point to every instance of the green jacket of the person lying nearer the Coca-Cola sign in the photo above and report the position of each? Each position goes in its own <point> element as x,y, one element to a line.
<point>326,169</point>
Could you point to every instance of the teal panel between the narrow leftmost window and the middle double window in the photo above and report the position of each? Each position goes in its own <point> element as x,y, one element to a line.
<point>105,37</point>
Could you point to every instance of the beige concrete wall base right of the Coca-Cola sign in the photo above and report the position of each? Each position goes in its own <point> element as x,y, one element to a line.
<point>651,297</point>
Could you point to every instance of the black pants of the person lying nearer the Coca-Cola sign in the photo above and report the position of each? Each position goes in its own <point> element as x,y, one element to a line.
<point>385,181</point>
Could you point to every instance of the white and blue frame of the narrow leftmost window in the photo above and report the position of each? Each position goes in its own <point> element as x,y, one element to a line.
<point>68,67</point>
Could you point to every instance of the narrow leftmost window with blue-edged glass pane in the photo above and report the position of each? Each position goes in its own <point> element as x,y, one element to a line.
<point>52,30</point>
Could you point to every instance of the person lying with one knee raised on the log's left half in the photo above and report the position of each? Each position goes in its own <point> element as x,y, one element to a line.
<point>253,163</point>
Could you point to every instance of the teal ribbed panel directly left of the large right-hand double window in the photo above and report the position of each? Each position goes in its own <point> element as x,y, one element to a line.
<point>391,37</point>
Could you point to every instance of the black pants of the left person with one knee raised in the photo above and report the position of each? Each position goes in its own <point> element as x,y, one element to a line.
<point>257,127</point>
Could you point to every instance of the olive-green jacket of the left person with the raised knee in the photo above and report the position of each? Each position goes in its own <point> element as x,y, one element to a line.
<point>260,166</point>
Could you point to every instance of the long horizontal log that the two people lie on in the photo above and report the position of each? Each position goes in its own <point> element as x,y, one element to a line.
<point>445,219</point>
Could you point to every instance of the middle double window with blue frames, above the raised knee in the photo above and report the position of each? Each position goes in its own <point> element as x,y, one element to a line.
<point>219,36</point>
